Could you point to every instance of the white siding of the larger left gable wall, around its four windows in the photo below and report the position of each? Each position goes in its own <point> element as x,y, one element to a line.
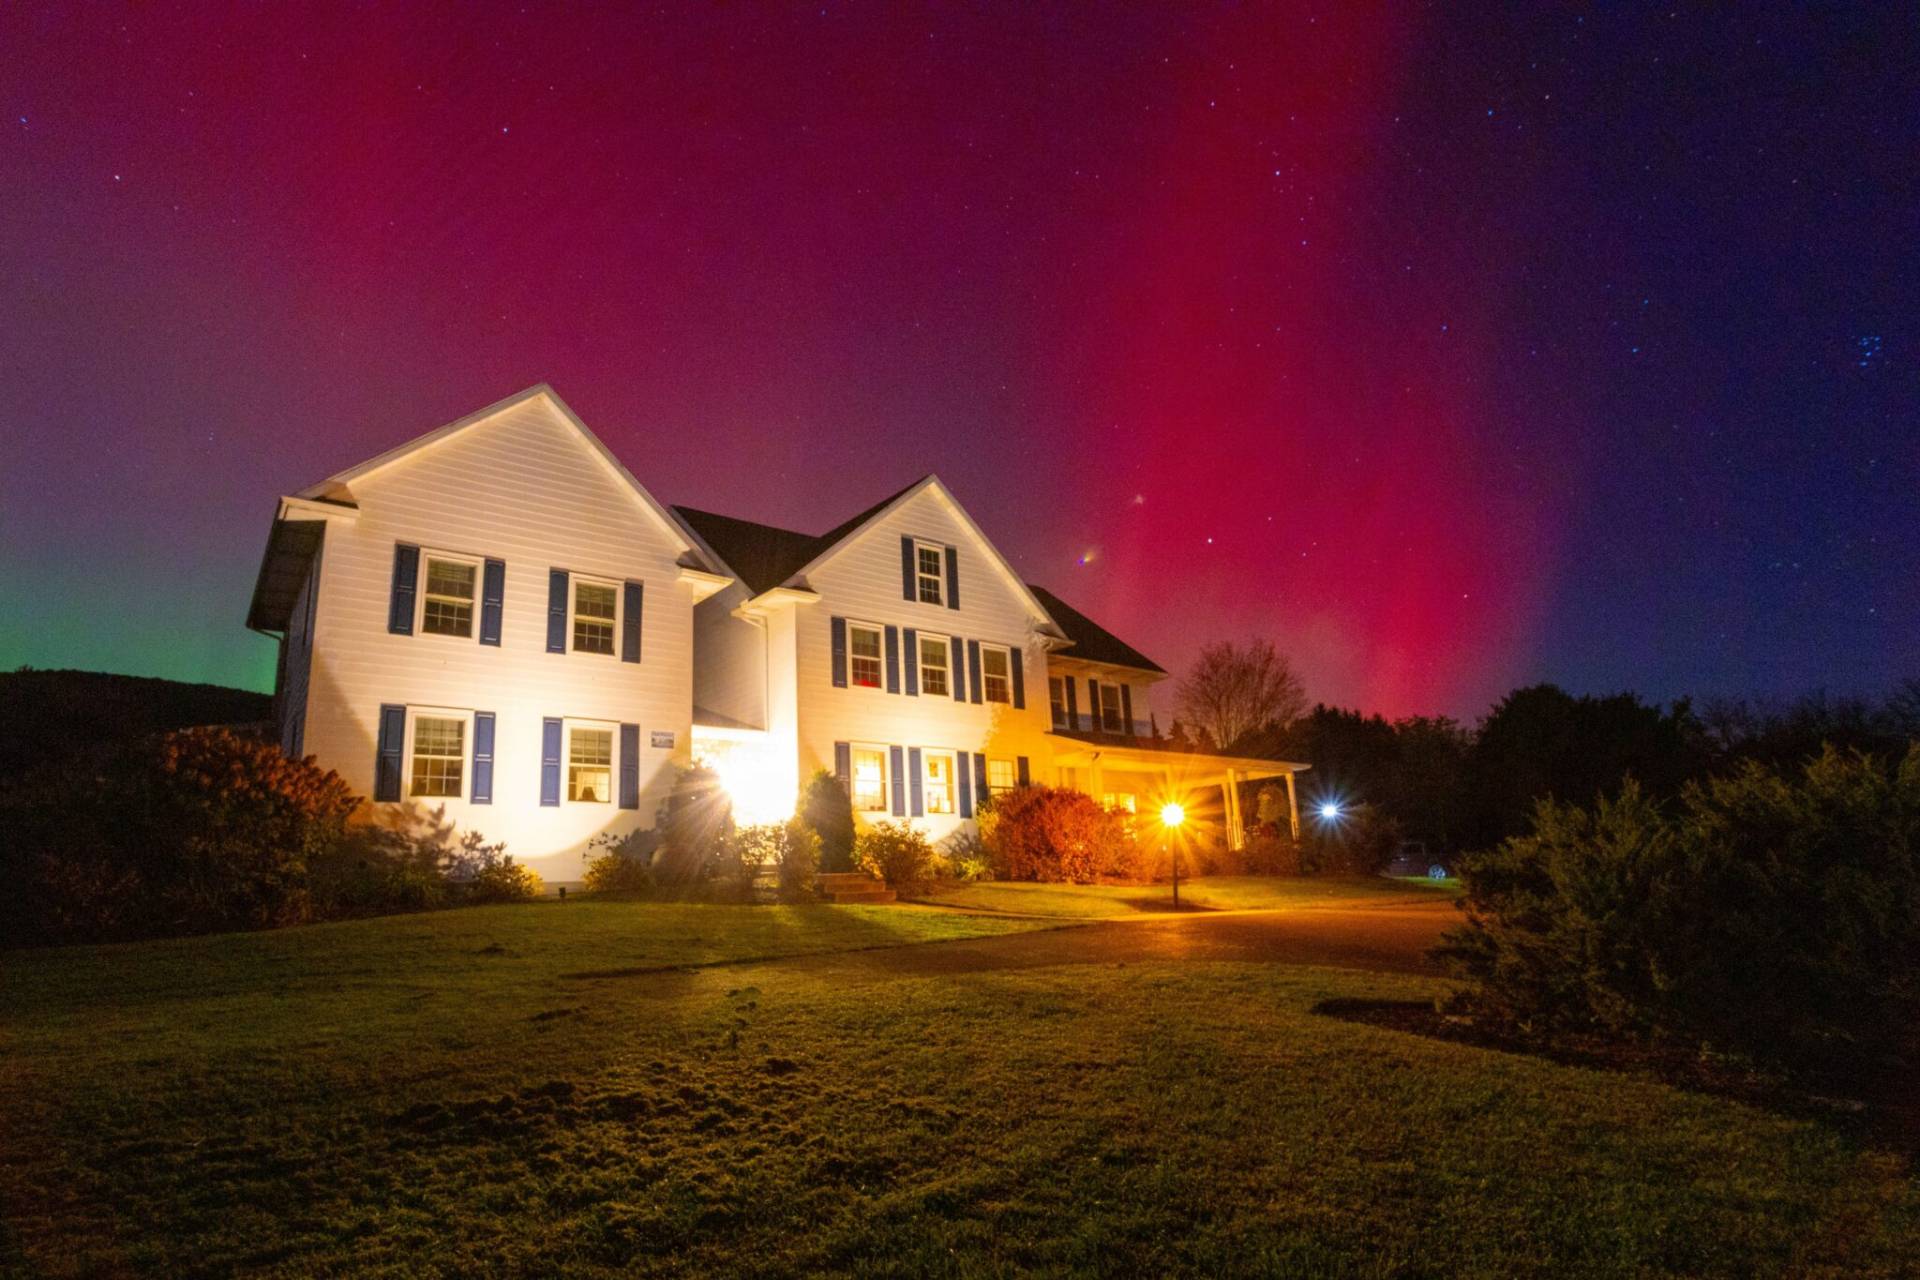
<point>523,488</point>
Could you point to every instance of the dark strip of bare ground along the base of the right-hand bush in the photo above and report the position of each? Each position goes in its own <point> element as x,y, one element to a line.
<point>1888,1120</point>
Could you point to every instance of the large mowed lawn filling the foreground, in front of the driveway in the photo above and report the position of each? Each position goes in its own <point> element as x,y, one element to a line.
<point>460,1095</point>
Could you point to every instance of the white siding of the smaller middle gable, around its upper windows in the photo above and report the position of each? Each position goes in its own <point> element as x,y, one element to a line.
<point>863,582</point>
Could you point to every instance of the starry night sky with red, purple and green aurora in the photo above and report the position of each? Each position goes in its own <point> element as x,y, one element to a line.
<point>1452,352</point>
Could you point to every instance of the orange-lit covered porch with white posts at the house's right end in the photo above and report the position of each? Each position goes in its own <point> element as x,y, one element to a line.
<point>1134,774</point>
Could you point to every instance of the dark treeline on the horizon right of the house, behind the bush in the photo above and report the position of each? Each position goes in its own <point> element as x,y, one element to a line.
<point>1460,788</point>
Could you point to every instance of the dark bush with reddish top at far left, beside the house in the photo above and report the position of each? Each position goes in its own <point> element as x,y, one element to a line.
<point>189,832</point>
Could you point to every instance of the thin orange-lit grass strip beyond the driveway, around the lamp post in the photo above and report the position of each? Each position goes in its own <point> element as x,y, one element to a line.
<point>1222,893</point>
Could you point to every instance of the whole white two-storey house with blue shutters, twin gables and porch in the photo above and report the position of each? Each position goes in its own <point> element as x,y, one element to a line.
<point>498,619</point>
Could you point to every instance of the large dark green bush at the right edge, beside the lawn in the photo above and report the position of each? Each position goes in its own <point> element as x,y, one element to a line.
<point>1769,914</point>
